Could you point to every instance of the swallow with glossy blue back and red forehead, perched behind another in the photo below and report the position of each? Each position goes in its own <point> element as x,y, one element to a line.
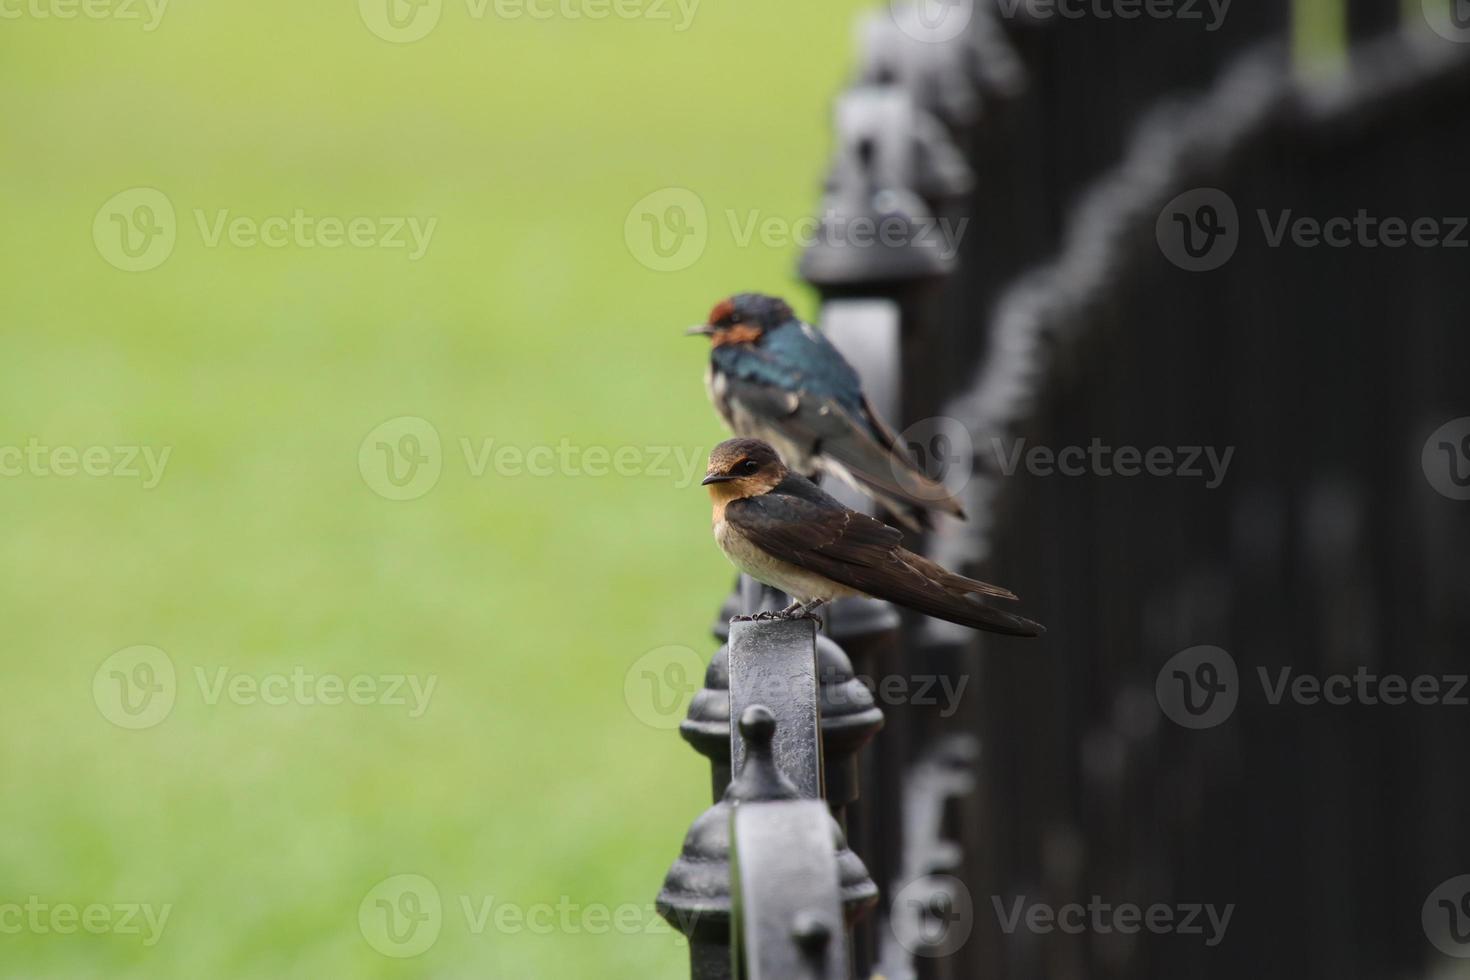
<point>777,378</point>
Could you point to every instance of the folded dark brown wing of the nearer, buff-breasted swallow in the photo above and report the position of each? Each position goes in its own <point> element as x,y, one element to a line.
<point>811,530</point>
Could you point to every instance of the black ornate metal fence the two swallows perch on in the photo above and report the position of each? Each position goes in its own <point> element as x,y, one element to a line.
<point>1178,243</point>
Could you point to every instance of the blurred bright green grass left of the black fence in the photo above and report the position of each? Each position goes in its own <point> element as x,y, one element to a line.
<point>528,779</point>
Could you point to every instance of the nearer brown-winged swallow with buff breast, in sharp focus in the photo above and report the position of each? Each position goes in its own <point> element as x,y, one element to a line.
<point>786,531</point>
